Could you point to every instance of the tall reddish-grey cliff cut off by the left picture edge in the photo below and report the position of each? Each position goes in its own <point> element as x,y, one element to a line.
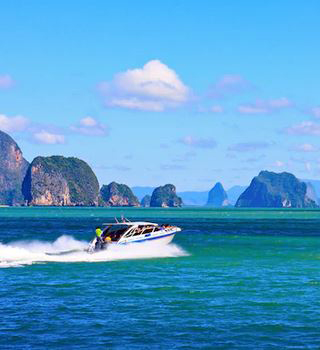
<point>13,168</point>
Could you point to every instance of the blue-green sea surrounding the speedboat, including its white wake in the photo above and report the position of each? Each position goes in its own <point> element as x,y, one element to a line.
<point>234,279</point>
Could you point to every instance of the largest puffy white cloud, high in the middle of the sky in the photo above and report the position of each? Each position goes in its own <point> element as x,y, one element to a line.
<point>154,87</point>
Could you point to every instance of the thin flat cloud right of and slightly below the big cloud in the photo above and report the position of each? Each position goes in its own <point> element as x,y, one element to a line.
<point>265,106</point>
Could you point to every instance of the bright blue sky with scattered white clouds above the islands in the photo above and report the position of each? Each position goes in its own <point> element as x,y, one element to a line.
<point>149,93</point>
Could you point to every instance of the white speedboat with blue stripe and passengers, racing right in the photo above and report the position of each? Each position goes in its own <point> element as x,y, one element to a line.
<point>127,232</point>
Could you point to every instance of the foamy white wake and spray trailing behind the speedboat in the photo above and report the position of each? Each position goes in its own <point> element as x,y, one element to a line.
<point>68,249</point>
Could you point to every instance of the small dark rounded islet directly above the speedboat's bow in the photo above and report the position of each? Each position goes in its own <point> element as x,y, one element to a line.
<point>165,196</point>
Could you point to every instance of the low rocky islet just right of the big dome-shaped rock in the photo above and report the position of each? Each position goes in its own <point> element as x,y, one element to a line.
<point>118,195</point>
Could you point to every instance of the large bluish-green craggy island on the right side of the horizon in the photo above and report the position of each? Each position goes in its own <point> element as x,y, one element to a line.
<point>272,190</point>
